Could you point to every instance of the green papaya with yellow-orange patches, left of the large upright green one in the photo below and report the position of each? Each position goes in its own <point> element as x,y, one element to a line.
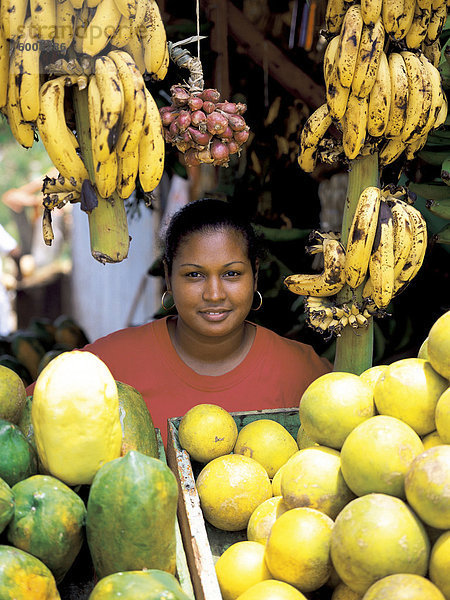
<point>48,522</point>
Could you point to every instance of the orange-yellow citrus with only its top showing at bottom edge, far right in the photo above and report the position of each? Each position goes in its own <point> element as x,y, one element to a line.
<point>402,586</point>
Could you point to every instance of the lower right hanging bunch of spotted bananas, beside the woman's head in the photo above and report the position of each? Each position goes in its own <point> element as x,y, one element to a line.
<point>385,250</point>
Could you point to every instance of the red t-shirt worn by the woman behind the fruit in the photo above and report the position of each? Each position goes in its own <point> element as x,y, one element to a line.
<point>274,373</point>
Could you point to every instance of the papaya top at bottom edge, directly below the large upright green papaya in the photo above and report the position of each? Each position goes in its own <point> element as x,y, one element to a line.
<point>138,585</point>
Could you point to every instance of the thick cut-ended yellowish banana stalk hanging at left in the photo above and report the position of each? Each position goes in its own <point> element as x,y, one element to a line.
<point>108,227</point>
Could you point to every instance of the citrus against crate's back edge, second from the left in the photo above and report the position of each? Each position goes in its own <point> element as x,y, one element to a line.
<point>267,442</point>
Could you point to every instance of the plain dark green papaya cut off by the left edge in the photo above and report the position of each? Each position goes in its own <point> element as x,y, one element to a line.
<point>18,459</point>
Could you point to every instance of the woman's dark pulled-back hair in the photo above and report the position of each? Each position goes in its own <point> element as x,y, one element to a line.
<point>208,214</point>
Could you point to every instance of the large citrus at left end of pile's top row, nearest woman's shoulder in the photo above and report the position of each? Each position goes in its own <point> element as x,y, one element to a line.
<point>333,405</point>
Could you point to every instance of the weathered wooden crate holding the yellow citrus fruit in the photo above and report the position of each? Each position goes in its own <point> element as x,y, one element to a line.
<point>204,543</point>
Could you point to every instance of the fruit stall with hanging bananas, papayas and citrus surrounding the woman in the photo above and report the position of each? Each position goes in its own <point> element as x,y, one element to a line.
<point>344,496</point>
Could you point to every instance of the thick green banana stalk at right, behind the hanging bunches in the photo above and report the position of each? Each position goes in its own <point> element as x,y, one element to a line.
<point>354,347</point>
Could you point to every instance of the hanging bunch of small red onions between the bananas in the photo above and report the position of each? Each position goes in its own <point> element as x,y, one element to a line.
<point>204,129</point>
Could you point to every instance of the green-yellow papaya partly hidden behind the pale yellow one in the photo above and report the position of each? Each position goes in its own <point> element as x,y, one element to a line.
<point>138,431</point>
